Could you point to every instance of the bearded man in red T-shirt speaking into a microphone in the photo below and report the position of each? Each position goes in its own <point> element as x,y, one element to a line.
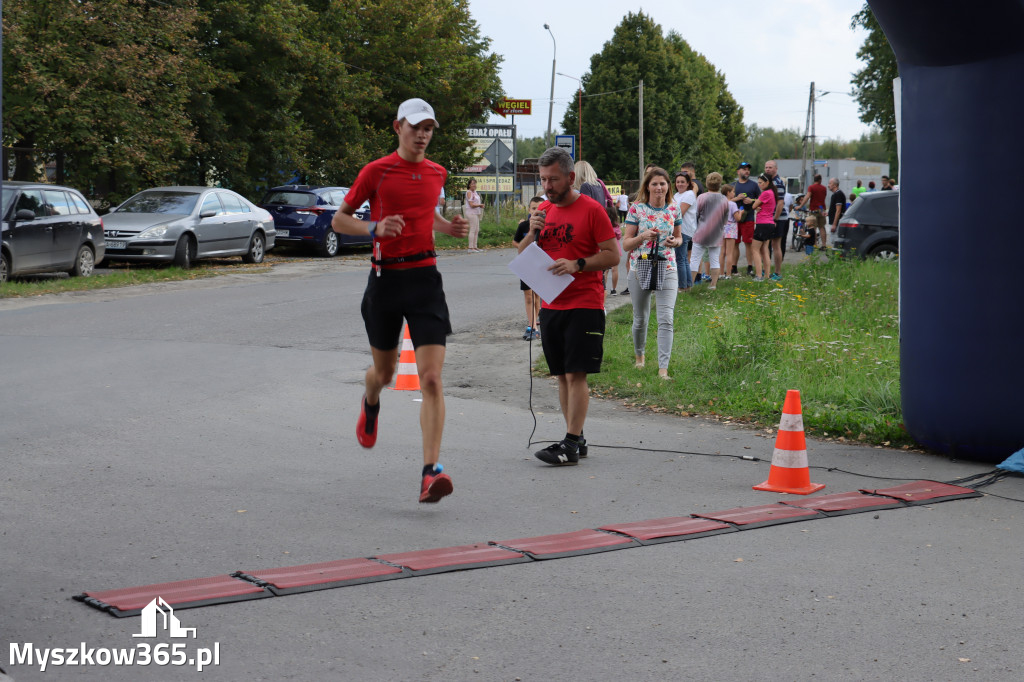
<point>576,232</point>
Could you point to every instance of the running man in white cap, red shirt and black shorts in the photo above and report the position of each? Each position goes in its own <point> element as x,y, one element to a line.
<point>403,190</point>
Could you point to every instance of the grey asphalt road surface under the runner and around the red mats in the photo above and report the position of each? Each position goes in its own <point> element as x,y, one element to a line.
<point>191,430</point>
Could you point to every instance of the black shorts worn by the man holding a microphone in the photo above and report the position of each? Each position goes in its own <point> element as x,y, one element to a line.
<point>573,340</point>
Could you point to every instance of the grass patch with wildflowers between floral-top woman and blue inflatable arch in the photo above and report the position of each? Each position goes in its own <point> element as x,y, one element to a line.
<point>829,330</point>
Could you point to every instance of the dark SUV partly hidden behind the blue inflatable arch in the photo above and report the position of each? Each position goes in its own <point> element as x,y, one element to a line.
<point>871,227</point>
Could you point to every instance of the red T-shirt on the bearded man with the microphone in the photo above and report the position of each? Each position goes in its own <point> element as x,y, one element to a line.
<point>575,232</point>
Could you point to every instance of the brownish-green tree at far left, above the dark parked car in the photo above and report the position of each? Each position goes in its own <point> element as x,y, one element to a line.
<point>107,83</point>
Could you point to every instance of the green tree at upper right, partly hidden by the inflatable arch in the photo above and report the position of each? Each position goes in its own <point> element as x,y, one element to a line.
<point>873,86</point>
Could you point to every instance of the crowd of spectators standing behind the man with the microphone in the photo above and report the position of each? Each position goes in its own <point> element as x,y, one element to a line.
<point>679,233</point>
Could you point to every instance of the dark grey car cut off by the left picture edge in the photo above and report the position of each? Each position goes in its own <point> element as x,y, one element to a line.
<point>49,229</point>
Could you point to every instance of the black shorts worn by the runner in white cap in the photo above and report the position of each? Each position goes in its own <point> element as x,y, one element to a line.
<point>415,295</point>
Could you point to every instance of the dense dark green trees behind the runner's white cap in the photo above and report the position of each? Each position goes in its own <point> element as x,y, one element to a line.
<point>310,89</point>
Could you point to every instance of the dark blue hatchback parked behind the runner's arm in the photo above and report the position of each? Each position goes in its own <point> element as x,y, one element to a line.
<point>303,216</point>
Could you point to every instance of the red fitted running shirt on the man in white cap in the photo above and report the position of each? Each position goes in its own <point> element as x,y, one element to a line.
<point>397,187</point>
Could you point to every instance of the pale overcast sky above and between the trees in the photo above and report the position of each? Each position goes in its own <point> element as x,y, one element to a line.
<point>770,59</point>
